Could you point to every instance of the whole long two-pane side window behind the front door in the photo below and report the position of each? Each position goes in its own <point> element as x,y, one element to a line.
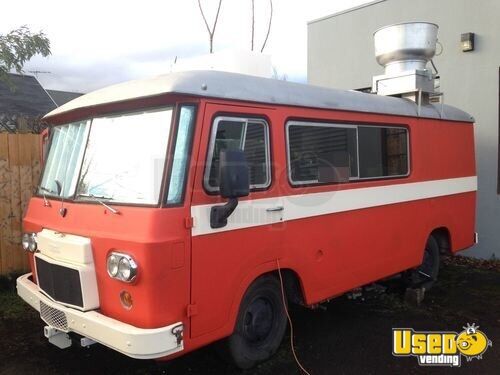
<point>328,153</point>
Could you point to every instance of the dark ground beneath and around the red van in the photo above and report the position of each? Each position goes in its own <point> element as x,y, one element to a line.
<point>349,337</point>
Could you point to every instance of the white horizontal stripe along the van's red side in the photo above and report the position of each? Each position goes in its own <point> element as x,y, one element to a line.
<point>252,213</point>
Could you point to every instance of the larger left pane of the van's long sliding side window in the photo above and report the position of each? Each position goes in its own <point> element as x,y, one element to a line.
<point>320,153</point>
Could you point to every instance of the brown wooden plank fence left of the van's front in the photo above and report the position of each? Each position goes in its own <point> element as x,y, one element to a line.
<point>19,173</point>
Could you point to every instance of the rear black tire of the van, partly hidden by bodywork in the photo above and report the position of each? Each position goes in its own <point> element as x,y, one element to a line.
<point>425,275</point>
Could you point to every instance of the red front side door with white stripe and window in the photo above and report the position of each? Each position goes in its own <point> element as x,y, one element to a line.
<point>224,258</point>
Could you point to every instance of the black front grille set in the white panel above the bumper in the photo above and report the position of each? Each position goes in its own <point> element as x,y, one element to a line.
<point>60,283</point>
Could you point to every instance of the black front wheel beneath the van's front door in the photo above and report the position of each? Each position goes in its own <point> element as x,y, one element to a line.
<point>260,325</point>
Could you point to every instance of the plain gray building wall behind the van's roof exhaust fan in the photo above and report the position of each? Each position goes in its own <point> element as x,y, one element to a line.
<point>341,55</point>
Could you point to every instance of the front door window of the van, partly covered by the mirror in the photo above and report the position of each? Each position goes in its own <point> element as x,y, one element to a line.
<point>249,135</point>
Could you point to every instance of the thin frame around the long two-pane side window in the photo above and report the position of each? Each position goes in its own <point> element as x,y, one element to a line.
<point>350,126</point>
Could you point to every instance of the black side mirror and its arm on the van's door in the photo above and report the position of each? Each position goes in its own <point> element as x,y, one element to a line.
<point>234,182</point>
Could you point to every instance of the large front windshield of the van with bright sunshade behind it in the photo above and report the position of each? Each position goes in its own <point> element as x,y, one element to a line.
<point>118,158</point>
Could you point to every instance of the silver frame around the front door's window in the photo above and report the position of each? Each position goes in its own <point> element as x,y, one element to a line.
<point>211,147</point>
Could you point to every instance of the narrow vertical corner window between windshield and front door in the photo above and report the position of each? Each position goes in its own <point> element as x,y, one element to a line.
<point>182,152</point>
